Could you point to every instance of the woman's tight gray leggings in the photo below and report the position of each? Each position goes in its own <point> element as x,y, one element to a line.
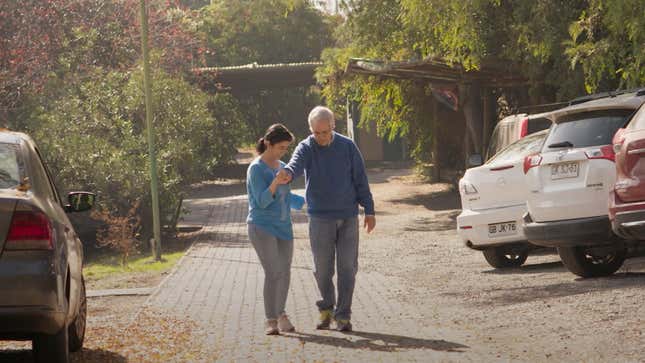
<point>275,256</point>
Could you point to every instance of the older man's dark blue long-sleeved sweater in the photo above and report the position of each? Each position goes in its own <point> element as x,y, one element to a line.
<point>335,178</point>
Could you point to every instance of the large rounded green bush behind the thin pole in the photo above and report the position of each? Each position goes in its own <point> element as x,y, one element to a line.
<point>93,136</point>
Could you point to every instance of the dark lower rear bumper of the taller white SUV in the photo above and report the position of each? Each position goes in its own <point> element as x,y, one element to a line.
<point>590,231</point>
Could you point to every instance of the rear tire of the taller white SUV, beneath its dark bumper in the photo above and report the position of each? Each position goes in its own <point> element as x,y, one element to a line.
<point>579,261</point>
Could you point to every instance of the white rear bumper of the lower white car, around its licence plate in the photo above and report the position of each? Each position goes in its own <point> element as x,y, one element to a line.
<point>472,226</point>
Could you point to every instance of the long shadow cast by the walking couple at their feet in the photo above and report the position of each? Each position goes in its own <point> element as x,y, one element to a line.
<point>380,342</point>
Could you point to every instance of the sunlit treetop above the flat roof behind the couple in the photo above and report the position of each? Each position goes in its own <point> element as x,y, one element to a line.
<point>264,31</point>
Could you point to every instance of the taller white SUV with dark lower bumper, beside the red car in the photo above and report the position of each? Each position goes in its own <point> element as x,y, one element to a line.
<point>569,182</point>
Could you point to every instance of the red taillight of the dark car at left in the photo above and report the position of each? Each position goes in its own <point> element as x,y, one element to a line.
<point>29,230</point>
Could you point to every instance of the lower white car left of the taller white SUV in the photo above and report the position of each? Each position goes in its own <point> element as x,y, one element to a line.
<point>493,200</point>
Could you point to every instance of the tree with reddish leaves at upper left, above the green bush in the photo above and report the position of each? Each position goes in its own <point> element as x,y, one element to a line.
<point>43,40</point>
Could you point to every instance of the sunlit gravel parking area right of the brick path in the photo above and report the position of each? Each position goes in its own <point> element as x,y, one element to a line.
<point>538,312</point>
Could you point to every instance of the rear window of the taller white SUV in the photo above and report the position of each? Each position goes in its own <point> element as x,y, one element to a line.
<point>586,129</point>
